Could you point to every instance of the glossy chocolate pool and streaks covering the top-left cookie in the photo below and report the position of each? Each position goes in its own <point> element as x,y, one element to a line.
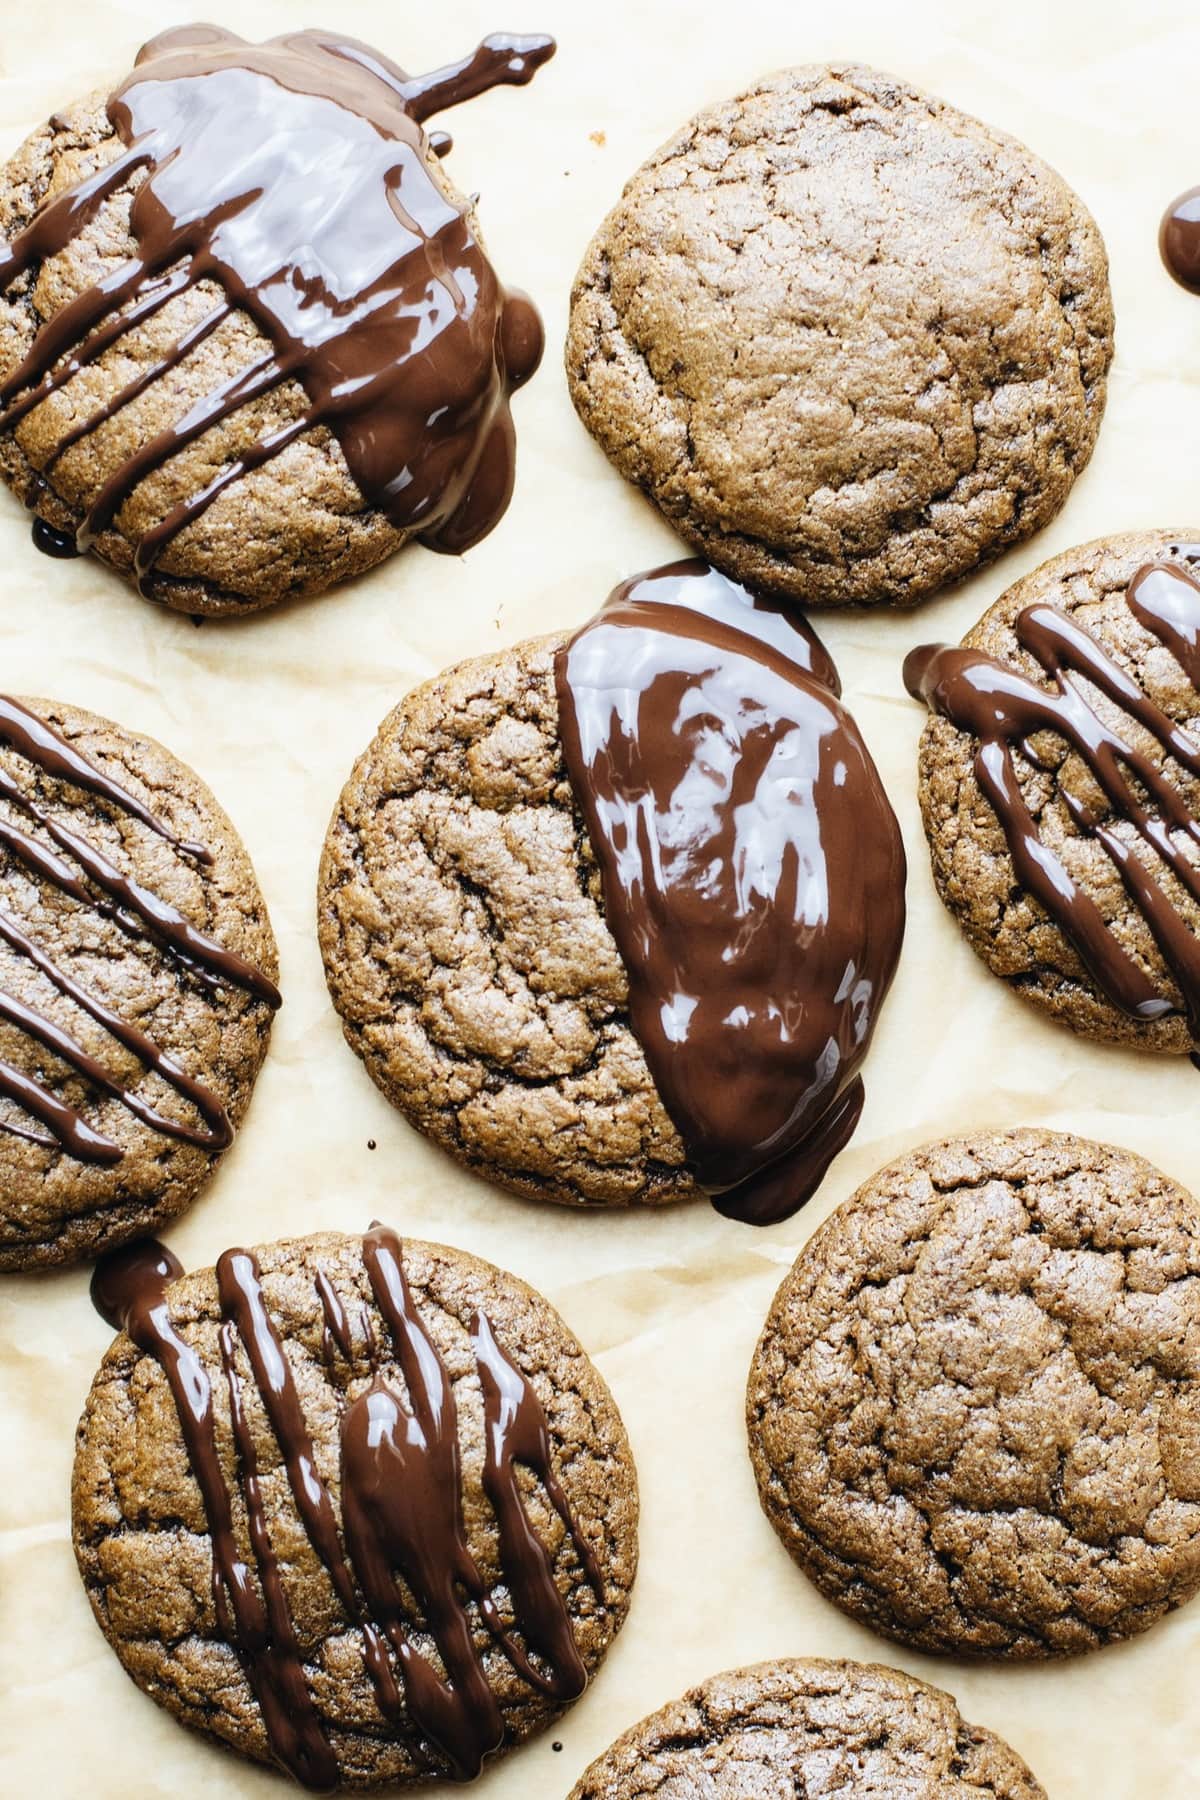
<point>298,177</point>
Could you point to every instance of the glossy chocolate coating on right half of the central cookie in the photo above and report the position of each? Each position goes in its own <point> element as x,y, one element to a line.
<point>751,865</point>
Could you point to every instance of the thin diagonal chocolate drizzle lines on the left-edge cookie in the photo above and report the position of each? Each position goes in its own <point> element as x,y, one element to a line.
<point>80,872</point>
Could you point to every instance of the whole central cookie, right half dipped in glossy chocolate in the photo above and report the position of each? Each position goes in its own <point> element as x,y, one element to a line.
<point>613,917</point>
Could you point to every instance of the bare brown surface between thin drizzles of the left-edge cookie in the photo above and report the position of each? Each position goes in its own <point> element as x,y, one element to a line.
<point>57,1207</point>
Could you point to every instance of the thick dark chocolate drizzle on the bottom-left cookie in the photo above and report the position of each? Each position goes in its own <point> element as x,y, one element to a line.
<point>399,1558</point>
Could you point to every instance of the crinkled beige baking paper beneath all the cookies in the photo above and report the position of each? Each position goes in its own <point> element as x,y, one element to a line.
<point>274,710</point>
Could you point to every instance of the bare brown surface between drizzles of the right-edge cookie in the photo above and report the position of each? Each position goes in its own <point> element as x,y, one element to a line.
<point>971,854</point>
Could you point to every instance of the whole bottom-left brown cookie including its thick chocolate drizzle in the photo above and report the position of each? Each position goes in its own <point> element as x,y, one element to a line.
<point>359,1507</point>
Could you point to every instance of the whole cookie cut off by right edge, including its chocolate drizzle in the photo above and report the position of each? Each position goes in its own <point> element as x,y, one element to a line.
<point>1061,787</point>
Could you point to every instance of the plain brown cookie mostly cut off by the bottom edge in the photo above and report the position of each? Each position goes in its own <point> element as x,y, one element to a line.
<point>807,1727</point>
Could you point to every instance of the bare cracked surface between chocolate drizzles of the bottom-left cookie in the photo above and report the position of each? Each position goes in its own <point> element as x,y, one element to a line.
<point>141,1531</point>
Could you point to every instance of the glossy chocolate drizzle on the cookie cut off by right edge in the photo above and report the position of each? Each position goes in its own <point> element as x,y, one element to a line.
<point>1007,710</point>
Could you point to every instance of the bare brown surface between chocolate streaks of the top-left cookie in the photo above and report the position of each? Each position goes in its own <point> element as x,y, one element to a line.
<point>285,532</point>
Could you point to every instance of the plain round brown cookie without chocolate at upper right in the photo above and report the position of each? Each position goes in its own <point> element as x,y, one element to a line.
<point>850,341</point>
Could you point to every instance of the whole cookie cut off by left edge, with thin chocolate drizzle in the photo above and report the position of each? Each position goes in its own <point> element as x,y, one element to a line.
<point>138,984</point>
